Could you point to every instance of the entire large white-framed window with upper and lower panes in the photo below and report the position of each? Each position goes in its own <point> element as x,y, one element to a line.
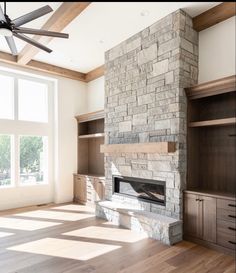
<point>26,130</point>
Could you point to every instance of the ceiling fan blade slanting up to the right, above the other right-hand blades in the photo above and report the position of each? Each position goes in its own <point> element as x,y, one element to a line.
<point>32,15</point>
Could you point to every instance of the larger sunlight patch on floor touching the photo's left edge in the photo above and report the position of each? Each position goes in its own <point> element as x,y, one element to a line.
<point>22,224</point>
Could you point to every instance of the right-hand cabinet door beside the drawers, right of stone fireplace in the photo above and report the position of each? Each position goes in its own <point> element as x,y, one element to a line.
<point>209,218</point>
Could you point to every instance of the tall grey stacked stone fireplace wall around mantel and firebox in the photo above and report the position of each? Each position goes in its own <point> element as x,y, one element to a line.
<point>145,101</point>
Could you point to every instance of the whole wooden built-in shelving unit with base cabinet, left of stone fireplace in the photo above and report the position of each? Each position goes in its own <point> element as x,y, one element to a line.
<point>89,181</point>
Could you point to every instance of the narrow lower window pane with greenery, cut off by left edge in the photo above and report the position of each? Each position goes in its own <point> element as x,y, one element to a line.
<point>5,160</point>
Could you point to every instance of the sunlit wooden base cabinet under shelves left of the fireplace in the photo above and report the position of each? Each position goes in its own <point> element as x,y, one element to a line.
<point>88,189</point>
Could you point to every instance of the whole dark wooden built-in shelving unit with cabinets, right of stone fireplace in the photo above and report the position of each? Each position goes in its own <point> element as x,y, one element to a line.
<point>209,201</point>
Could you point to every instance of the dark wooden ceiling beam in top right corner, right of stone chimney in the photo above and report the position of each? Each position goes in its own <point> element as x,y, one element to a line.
<point>214,16</point>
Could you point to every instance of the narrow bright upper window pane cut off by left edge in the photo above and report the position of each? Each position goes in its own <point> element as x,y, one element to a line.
<point>6,97</point>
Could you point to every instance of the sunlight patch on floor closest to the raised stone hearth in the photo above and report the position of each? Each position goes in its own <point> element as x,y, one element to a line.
<point>106,233</point>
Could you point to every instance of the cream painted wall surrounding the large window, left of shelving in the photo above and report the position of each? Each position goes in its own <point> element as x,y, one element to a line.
<point>70,100</point>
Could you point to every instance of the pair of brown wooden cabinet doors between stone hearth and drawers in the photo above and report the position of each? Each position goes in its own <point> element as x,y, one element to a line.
<point>200,217</point>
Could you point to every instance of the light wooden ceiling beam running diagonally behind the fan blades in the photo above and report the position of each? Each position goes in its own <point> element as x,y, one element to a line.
<point>67,12</point>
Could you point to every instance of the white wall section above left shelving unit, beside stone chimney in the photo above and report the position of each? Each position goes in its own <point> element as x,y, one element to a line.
<point>96,93</point>
